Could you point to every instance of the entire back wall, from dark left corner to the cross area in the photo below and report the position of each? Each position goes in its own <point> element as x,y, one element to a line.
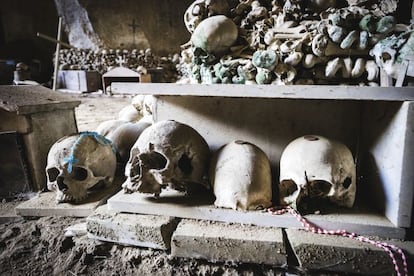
<point>160,27</point>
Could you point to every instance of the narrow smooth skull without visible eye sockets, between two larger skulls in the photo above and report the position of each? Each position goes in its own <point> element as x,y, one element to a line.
<point>241,177</point>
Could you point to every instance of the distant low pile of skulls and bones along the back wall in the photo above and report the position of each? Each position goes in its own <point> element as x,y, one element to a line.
<point>104,60</point>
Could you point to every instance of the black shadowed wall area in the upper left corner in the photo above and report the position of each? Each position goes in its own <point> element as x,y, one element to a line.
<point>20,20</point>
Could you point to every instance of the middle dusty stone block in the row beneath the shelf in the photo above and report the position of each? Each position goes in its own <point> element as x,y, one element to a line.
<point>223,242</point>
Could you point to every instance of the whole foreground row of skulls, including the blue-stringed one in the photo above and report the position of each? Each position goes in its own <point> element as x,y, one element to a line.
<point>169,154</point>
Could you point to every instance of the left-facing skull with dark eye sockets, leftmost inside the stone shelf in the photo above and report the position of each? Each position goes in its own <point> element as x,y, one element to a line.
<point>167,154</point>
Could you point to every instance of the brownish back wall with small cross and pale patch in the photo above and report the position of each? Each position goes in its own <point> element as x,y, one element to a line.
<point>159,23</point>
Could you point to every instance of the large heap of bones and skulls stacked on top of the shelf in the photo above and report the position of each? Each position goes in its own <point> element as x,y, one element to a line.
<point>292,41</point>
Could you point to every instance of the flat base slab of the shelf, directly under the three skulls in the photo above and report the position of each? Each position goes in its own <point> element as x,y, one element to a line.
<point>172,203</point>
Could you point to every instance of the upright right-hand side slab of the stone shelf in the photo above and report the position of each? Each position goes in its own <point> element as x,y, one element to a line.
<point>389,176</point>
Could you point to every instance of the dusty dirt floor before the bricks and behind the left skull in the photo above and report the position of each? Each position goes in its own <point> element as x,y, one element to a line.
<point>38,246</point>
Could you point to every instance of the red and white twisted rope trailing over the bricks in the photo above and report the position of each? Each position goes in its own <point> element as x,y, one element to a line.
<point>390,249</point>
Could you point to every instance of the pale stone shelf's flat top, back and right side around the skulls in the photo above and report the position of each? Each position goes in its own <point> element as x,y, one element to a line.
<point>374,122</point>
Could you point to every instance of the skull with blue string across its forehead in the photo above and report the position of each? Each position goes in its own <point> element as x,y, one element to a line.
<point>79,164</point>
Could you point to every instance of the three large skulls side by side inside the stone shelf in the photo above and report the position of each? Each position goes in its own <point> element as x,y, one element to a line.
<point>170,154</point>
